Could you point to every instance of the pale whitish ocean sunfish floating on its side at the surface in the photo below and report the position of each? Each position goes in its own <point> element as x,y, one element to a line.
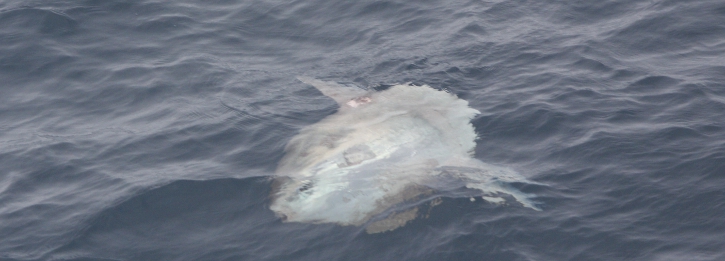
<point>382,149</point>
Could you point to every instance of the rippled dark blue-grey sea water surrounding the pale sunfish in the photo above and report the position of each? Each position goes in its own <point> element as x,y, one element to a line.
<point>151,130</point>
